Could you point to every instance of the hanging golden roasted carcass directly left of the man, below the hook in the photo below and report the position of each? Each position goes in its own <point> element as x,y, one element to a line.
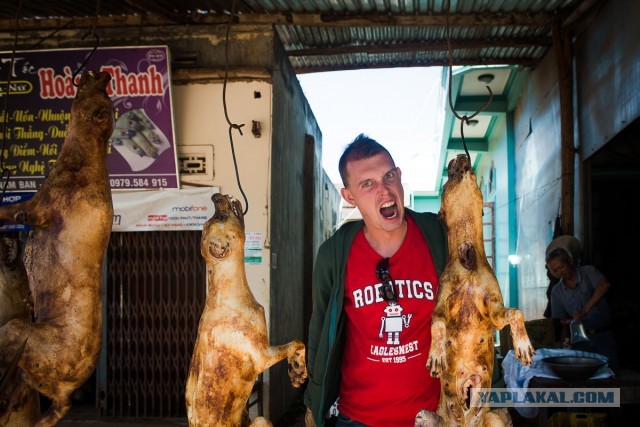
<point>232,346</point>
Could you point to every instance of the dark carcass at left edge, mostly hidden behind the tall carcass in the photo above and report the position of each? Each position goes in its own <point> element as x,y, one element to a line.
<point>19,403</point>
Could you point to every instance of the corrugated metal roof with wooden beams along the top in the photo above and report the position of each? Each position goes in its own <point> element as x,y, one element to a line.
<point>323,35</point>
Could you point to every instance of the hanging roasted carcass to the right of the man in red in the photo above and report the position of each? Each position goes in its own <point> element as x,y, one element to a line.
<point>469,309</point>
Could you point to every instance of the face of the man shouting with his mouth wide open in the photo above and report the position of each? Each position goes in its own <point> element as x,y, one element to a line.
<point>375,188</point>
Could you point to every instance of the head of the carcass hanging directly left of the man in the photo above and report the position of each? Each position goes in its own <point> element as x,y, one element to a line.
<point>223,234</point>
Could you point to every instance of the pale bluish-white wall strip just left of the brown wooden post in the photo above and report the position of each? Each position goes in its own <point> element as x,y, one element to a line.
<point>538,171</point>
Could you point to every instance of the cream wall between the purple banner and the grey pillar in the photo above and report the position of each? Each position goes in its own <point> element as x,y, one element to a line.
<point>200,120</point>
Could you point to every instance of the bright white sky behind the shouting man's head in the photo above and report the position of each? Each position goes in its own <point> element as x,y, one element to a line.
<point>399,107</point>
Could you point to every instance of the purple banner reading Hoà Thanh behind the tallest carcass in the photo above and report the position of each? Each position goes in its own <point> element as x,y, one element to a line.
<point>141,152</point>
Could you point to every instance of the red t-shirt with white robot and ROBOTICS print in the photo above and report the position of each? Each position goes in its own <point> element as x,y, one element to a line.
<point>385,381</point>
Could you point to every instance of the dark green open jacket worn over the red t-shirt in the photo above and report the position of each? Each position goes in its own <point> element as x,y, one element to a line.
<point>326,328</point>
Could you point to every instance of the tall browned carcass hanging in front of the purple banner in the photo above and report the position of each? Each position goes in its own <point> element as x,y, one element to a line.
<point>71,217</point>
